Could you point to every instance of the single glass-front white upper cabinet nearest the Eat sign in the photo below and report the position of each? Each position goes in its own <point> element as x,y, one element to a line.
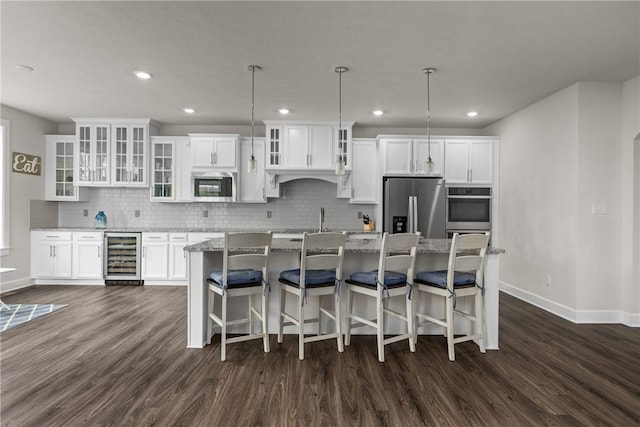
<point>59,182</point>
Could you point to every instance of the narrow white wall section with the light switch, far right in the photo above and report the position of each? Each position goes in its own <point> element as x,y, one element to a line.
<point>599,236</point>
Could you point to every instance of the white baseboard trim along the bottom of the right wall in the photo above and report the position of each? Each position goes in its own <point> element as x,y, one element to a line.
<point>570,314</point>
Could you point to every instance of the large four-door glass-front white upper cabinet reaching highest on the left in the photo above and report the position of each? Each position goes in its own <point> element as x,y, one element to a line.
<point>112,152</point>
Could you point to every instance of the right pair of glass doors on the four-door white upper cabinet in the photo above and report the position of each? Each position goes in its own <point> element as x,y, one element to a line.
<point>129,161</point>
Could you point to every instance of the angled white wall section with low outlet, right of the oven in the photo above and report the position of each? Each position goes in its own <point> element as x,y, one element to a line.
<point>538,177</point>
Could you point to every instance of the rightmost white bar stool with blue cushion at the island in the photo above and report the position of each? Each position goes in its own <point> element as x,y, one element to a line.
<point>464,277</point>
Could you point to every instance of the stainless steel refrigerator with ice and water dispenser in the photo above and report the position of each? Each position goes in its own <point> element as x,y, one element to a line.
<point>412,204</point>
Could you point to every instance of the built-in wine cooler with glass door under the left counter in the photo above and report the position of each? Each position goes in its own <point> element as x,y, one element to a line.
<point>122,258</point>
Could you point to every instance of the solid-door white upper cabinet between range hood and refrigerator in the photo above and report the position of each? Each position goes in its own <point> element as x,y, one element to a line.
<point>365,181</point>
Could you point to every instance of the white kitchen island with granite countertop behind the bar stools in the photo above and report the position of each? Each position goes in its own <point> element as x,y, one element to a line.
<point>360,255</point>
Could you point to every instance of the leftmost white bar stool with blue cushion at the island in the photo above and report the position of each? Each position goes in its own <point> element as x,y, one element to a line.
<point>244,274</point>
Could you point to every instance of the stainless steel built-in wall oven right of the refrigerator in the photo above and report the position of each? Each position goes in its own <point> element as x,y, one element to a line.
<point>468,209</point>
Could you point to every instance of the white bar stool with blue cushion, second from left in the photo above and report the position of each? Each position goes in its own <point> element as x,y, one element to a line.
<point>320,274</point>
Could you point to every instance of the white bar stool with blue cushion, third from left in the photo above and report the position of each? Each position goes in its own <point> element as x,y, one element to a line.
<point>393,278</point>
